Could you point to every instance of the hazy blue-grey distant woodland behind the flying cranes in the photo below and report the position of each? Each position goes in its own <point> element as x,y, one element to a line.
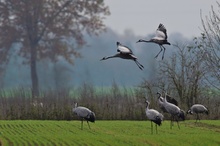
<point>89,68</point>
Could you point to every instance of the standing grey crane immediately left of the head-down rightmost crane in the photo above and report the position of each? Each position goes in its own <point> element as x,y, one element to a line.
<point>174,111</point>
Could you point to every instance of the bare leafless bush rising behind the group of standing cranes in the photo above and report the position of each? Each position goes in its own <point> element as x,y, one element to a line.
<point>183,73</point>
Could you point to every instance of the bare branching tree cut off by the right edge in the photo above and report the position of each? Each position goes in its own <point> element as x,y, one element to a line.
<point>211,42</point>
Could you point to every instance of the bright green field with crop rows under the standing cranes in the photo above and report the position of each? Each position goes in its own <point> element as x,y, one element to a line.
<point>44,133</point>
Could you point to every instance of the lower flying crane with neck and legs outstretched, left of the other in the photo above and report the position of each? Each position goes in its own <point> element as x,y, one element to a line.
<point>125,53</point>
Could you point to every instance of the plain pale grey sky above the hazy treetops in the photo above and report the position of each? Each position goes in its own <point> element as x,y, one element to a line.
<point>144,16</point>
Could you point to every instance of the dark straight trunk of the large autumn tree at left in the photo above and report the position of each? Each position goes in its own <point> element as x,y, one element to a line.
<point>34,77</point>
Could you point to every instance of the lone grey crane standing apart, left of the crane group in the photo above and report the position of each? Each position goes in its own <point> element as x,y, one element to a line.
<point>84,114</point>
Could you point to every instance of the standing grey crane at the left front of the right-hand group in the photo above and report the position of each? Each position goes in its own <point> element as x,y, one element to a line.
<point>154,116</point>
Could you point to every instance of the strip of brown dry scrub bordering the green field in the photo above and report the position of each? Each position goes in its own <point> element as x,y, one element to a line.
<point>114,104</point>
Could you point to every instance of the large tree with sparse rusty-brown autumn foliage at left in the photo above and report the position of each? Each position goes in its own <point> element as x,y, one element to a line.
<point>48,29</point>
